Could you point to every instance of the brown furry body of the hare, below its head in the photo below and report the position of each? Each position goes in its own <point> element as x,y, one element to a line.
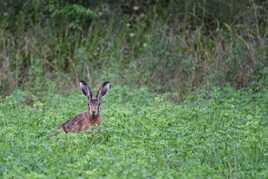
<point>81,122</point>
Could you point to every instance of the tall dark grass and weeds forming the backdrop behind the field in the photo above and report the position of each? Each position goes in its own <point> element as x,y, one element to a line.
<point>174,46</point>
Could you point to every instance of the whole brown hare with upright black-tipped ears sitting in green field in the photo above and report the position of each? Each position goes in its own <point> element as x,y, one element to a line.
<point>91,118</point>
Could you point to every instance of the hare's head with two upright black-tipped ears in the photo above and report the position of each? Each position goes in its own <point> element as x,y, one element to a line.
<point>94,103</point>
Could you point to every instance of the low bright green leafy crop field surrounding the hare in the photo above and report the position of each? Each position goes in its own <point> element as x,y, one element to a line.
<point>218,134</point>
